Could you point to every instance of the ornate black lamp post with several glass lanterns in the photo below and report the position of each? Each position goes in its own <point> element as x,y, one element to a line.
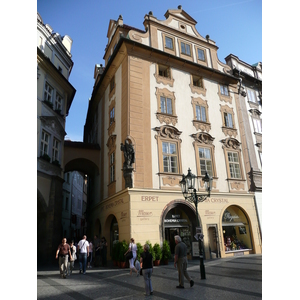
<point>189,192</point>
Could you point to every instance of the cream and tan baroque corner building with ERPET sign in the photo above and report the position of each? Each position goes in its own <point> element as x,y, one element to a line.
<point>164,92</point>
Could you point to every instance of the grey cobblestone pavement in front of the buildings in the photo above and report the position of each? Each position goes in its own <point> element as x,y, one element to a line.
<point>232,278</point>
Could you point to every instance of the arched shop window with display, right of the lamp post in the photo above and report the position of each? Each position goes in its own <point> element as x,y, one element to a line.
<point>236,230</point>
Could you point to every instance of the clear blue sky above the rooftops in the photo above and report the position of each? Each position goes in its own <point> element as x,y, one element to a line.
<point>235,26</point>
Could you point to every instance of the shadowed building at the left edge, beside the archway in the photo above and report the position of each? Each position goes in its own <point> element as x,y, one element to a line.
<point>54,98</point>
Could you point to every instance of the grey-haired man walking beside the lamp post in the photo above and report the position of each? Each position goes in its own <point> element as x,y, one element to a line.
<point>181,261</point>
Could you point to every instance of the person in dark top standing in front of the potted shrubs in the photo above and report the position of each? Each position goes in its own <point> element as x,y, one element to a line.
<point>146,262</point>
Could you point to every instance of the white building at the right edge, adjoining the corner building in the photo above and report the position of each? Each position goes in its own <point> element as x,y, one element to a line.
<point>249,109</point>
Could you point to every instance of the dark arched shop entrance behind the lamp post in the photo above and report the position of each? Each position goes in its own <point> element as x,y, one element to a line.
<point>179,219</point>
